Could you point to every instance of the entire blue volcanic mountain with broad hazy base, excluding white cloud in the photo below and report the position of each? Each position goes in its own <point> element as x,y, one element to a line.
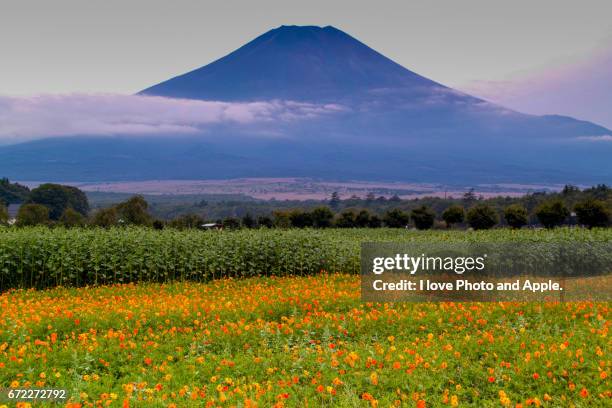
<point>349,113</point>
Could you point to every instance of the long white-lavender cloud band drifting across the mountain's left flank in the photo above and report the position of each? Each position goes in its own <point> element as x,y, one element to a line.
<point>38,117</point>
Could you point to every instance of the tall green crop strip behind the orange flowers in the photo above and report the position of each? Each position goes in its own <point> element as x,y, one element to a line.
<point>39,257</point>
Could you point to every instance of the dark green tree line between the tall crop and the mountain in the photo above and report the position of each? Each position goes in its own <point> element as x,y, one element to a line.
<point>54,204</point>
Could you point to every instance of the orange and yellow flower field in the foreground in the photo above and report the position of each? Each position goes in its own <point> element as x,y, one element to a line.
<point>303,341</point>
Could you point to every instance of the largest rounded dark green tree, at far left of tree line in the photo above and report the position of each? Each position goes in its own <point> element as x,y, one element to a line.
<point>57,198</point>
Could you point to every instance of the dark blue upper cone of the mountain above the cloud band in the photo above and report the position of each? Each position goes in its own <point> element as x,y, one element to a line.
<point>297,63</point>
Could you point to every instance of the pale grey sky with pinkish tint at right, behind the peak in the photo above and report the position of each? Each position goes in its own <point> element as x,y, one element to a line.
<point>494,49</point>
